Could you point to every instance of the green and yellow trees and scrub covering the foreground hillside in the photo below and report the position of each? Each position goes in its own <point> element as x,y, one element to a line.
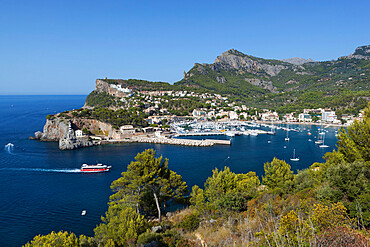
<point>325,205</point>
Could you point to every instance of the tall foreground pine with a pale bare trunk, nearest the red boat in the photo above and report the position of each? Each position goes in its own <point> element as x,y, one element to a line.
<point>145,176</point>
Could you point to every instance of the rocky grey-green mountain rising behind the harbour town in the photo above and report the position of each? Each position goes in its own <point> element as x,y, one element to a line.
<point>284,83</point>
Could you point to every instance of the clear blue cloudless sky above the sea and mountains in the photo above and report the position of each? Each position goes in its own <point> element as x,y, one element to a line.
<point>61,47</point>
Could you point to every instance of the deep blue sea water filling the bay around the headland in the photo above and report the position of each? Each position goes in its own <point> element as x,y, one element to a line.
<point>42,189</point>
